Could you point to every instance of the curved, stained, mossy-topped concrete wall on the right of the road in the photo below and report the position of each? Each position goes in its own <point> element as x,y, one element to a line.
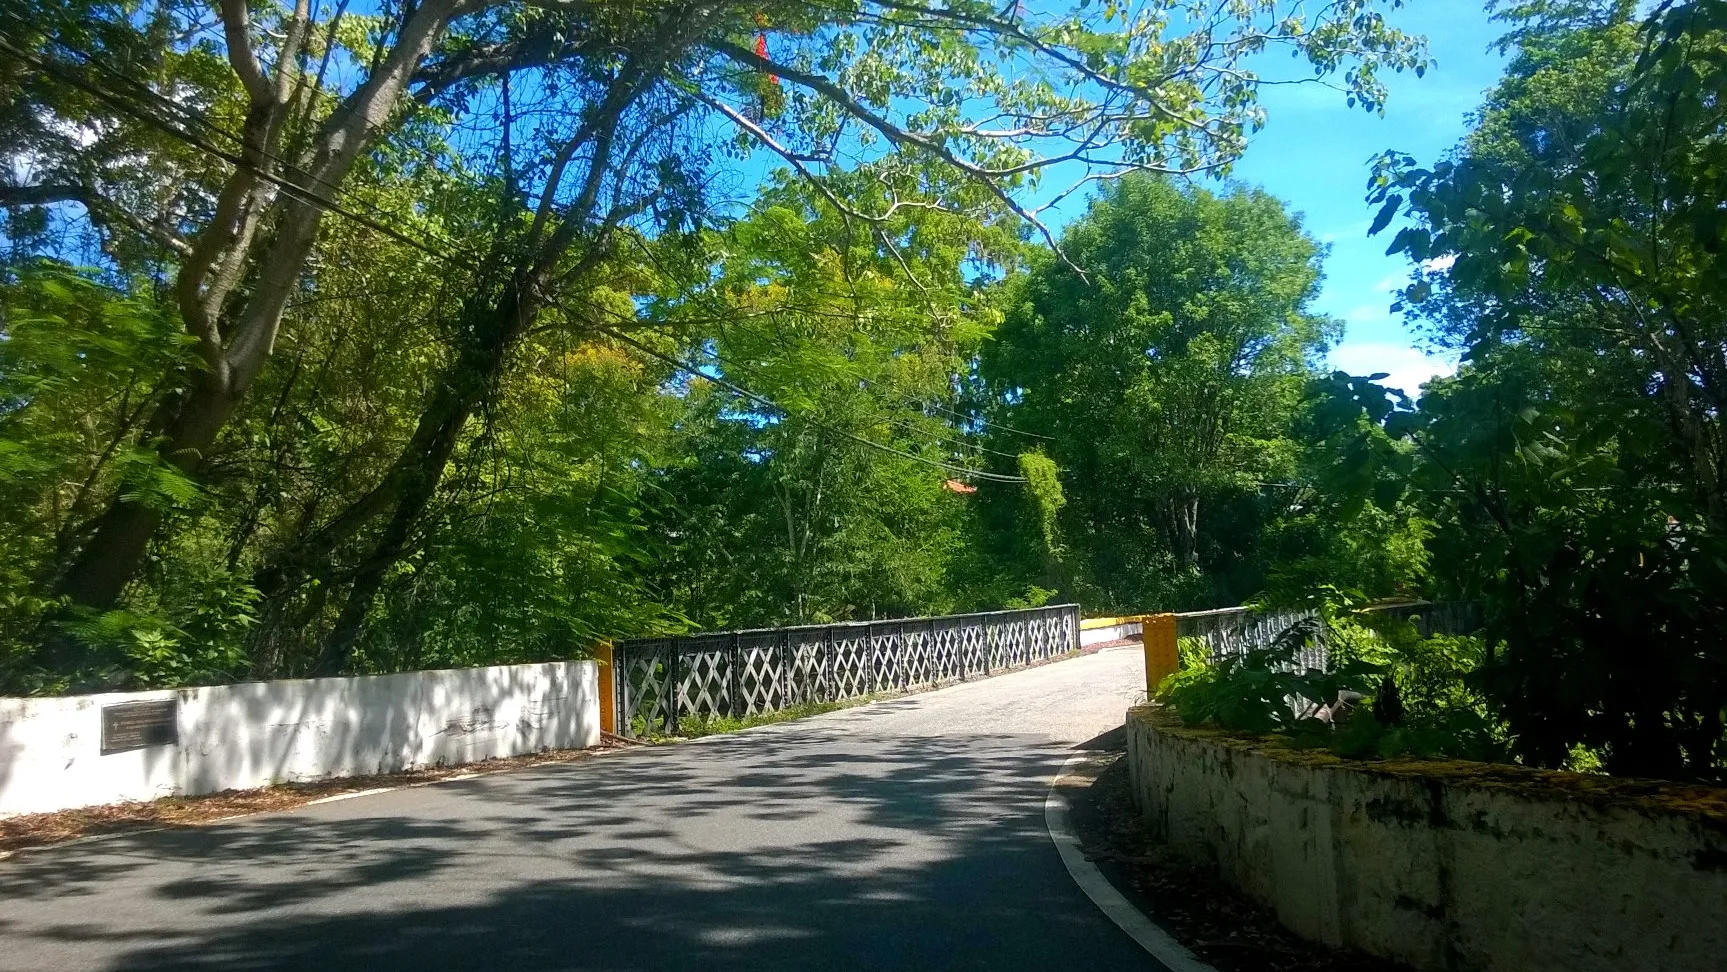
<point>1448,866</point>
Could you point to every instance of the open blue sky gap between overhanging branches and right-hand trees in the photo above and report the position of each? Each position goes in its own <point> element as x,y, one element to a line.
<point>1313,155</point>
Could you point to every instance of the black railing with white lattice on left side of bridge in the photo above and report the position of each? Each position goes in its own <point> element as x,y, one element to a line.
<point>662,681</point>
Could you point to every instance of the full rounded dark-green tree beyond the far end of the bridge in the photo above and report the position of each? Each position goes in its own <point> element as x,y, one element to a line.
<point>1167,377</point>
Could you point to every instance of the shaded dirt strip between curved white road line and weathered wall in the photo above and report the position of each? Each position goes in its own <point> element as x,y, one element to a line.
<point>1187,897</point>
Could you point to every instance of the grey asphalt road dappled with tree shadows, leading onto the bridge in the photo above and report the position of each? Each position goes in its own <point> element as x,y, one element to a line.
<point>904,835</point>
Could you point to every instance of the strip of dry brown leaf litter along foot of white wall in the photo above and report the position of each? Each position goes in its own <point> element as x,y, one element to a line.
<point>42,830</point>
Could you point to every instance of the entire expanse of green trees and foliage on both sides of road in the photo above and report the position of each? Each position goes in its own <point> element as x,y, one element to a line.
<point>453,334</point>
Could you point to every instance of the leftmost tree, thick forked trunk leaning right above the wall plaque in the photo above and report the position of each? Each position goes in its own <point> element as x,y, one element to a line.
<point>253,234</point>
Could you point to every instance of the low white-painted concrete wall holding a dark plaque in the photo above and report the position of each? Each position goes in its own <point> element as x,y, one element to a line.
<point>263,733</point>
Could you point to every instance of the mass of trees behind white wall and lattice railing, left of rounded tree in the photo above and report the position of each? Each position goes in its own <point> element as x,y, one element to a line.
<point>443,334</point>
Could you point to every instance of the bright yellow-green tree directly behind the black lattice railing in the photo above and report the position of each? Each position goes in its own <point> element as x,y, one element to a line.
<point>825,493</point>
